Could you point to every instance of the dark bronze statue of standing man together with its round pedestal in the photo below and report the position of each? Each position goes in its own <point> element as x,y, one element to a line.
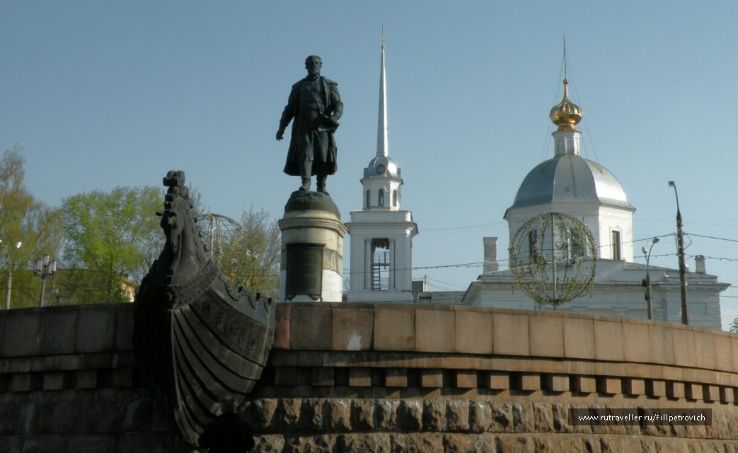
<point>312,232</point>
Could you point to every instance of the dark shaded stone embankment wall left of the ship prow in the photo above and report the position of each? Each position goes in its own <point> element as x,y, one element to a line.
<point>65,384</point>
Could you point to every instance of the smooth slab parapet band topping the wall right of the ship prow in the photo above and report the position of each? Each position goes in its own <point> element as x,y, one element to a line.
<point>472,330</point>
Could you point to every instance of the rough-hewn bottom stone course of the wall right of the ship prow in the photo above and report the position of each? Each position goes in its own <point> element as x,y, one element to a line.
<point>298,424</point>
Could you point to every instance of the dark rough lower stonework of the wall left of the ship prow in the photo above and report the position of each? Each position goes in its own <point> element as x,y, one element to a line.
<point>114,420</point>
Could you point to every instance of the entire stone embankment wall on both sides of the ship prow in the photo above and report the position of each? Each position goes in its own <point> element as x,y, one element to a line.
<point>364,377</point>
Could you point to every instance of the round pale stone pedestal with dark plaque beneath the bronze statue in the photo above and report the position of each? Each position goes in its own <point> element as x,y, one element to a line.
<point>311,268</point>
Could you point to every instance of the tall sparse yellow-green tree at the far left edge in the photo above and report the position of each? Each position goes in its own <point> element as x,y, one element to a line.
<point>28,230</point>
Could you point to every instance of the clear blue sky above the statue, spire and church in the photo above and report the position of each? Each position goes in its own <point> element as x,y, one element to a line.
<point>103,94</point>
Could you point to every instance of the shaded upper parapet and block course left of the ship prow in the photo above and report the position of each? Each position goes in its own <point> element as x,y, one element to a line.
<point>73,347</point>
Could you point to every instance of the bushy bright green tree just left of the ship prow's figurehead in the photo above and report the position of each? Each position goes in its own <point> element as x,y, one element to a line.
<point>110,240</point>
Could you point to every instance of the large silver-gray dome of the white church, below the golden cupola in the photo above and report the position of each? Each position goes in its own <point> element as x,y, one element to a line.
<point>569,178</point>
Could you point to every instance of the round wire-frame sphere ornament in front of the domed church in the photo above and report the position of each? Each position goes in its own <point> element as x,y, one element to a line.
<point>552,258</point>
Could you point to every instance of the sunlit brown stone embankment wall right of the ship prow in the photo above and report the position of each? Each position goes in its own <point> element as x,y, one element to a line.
<point>365,377</point>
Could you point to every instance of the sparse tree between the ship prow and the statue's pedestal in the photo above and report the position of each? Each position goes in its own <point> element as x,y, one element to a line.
<point>250,257</point>
